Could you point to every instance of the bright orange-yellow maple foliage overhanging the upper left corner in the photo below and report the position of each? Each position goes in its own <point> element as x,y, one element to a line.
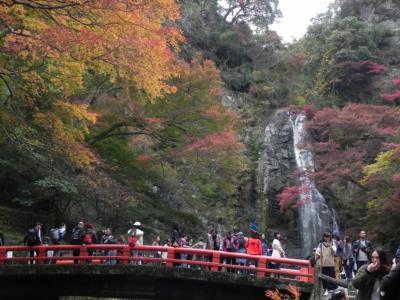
<point>56,55</point>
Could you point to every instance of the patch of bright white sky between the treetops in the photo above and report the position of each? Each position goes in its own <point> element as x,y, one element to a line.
<point>297,15</point>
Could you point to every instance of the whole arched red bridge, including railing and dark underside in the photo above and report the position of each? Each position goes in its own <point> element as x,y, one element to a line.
<point>145,272</point>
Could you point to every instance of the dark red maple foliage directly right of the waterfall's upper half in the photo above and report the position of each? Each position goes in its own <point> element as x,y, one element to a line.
<point>346,139</point>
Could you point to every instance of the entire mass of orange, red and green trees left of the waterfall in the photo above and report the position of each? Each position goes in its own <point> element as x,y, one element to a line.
<point>97,88</point>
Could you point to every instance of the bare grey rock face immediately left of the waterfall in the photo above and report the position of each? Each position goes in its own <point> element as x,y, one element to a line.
<point>275,171</point>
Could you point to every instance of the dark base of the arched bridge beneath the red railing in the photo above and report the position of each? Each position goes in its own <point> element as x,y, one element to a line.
<point>49,282</point>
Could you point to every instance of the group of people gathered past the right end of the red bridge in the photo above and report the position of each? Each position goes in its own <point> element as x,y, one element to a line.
<point>369,269</point>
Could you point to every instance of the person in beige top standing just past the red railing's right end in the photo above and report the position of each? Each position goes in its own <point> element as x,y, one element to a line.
<point>325,257</point>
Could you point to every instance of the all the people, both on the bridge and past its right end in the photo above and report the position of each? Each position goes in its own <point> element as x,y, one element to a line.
<point>369,269</point>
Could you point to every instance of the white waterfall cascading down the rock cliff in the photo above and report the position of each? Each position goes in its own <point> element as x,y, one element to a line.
<point>315,217</point>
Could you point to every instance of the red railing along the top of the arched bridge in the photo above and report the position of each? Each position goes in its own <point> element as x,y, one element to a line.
<point>214,261</point>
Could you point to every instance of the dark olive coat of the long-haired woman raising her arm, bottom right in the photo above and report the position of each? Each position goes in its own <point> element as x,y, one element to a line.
<point>364,282</point>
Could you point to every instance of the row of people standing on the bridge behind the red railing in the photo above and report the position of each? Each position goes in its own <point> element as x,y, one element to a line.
<point>85,234</point>
